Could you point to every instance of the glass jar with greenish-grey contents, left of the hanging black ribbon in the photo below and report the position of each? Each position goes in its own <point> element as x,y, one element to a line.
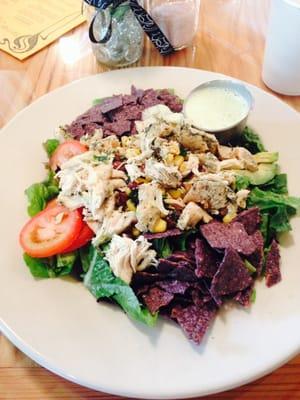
<point>121,36</point>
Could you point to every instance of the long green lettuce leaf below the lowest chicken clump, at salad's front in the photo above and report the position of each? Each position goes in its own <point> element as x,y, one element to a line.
<point>101,282</point>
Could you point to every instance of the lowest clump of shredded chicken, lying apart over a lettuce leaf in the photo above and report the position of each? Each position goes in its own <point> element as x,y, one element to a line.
<point>126,256</point>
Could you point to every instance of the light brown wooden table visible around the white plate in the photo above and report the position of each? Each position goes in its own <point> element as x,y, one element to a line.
<point>230,41</point>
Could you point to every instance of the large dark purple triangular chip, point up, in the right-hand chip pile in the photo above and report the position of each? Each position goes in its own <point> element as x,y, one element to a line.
<point>232,275</point>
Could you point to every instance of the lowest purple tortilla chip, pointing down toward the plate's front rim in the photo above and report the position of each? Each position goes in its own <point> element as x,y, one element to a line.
<point>194,320</point>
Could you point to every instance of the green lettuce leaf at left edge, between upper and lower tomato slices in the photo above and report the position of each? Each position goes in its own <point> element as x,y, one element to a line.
<point>39,194</point>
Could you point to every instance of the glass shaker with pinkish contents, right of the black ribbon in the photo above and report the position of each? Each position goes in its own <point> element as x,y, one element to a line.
<point>178,20</point>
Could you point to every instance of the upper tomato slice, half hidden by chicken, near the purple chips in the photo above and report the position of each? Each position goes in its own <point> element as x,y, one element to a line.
<point>65,151</point>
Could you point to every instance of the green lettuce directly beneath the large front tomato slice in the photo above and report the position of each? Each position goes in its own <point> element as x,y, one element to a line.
<point>51,267</point>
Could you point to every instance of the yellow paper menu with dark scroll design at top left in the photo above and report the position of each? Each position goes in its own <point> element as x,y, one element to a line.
<point>27,26</point>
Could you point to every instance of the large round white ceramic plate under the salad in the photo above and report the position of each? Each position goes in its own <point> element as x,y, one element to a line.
<point>60,325</point>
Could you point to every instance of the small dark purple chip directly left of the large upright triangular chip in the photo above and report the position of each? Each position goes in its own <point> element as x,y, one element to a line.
<point>207,262</point>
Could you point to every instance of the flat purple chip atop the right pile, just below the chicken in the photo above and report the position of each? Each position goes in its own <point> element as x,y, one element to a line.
<point>222,236</point>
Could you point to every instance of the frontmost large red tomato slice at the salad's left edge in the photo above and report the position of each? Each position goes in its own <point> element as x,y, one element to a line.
<point>51,231</point>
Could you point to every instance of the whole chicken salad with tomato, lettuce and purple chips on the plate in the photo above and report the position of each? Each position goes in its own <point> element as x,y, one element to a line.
<point>156,215</point>
